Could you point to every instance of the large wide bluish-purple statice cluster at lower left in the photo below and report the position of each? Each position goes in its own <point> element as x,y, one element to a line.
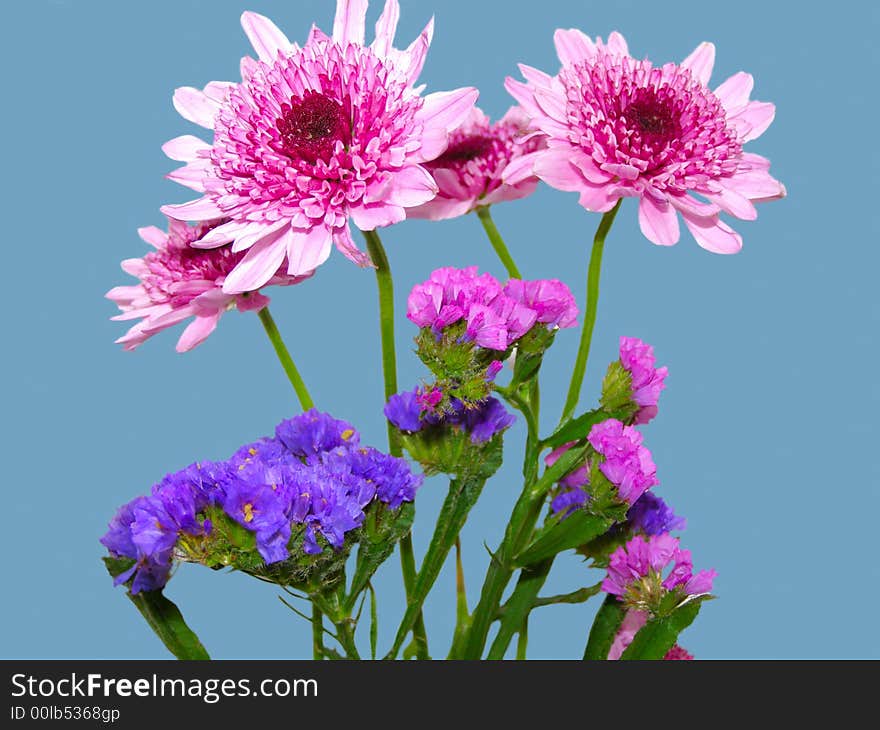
<point>312,473</point>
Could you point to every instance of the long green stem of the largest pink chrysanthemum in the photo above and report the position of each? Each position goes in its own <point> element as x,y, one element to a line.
<point>385,285</point>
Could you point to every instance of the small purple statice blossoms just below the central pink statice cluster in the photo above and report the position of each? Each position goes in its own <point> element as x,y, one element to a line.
<point>483,420</point>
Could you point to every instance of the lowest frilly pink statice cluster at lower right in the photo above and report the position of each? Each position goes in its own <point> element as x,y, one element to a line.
<point>645,569</point>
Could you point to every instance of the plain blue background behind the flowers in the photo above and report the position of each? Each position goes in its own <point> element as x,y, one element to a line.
<point>766,438</point>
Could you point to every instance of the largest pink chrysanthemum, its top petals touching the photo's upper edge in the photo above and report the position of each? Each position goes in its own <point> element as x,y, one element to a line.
<point>311,138</point>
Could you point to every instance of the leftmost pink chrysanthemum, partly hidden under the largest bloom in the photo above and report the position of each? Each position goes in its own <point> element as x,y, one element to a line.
<point>178,282</point>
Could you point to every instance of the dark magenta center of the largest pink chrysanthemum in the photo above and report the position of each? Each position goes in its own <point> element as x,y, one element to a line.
<point>310,126</point>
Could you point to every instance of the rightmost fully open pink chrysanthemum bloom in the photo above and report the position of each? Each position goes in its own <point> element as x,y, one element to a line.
<point>619,127</point>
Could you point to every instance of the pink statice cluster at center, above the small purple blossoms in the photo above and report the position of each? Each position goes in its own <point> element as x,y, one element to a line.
<point>495,316</point>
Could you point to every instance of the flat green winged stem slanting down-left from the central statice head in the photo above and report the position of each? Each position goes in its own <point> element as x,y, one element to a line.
<point>462,495</point>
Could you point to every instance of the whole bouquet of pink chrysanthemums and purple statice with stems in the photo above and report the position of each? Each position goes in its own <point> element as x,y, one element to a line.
<point>334,135</point>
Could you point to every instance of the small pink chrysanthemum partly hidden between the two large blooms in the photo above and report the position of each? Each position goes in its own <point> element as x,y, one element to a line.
<point>469,173</point>
